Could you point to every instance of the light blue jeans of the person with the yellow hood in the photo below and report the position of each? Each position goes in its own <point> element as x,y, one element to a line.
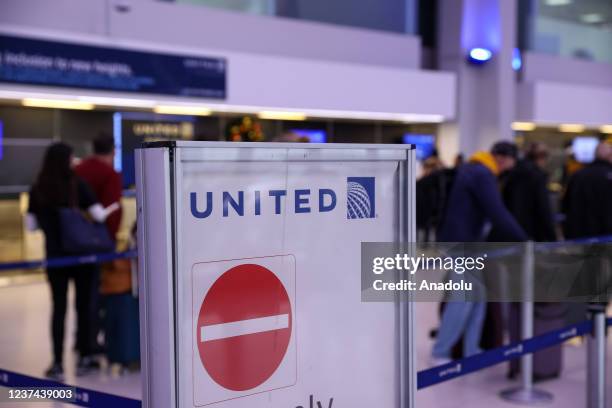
<point>461,318</point>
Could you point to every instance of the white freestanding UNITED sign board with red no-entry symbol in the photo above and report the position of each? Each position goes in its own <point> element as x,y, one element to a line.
<point>251,284</point>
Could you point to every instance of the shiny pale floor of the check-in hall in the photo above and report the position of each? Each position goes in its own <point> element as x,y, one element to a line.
<point>25,348</point>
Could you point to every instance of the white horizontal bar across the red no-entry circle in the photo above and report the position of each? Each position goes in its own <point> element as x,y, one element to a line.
<point>243,327</point>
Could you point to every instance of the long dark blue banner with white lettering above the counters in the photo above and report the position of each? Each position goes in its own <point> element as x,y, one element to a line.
<point>52,63</point>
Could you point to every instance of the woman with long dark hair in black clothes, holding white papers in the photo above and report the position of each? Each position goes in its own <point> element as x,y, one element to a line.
<point>58,187</point>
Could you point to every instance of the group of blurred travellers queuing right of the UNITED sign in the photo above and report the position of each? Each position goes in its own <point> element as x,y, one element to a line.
<point>502,196</point>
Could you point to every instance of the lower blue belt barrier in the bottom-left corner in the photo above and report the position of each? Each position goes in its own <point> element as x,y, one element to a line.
<point>84,397</point>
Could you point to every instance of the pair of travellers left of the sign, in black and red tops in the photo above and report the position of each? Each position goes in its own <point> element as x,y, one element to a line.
<point>77,204</point>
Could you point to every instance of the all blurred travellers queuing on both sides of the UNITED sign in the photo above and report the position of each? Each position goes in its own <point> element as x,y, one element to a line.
<point>501,195</point>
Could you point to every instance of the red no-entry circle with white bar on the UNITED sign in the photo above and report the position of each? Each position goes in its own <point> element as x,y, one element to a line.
<point>244,327</point>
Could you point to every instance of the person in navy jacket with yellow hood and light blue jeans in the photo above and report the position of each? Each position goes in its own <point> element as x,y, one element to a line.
<point>475,204</point>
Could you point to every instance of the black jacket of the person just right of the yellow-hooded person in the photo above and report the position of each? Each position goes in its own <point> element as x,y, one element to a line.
<point>526,196</point>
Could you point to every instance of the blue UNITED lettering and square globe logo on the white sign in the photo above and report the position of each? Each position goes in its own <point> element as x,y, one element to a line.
<point>360,201</point>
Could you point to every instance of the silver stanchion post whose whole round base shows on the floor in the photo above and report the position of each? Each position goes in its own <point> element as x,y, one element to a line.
<point>526,393</point>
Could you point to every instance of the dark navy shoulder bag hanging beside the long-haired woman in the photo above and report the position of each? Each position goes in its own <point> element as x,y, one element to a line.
<point>81,236</point>
